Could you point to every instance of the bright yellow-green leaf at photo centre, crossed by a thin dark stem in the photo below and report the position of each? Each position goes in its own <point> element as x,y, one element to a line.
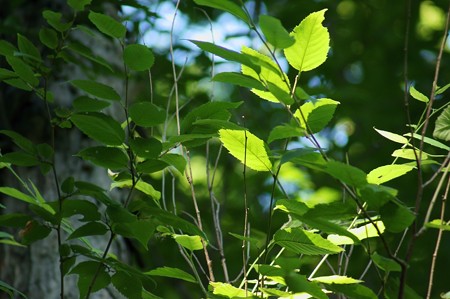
<point>247,148</point>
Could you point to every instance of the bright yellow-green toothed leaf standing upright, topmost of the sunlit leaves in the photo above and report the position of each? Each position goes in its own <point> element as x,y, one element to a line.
<point>312,42</point>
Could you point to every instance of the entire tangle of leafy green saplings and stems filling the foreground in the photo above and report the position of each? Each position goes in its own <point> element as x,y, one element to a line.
<point>330,227</point>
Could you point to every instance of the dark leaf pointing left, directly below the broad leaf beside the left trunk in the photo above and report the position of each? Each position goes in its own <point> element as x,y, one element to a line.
<point>107,157</point>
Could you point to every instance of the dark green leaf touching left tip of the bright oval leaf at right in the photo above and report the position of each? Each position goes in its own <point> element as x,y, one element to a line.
<point>347,174</point>
